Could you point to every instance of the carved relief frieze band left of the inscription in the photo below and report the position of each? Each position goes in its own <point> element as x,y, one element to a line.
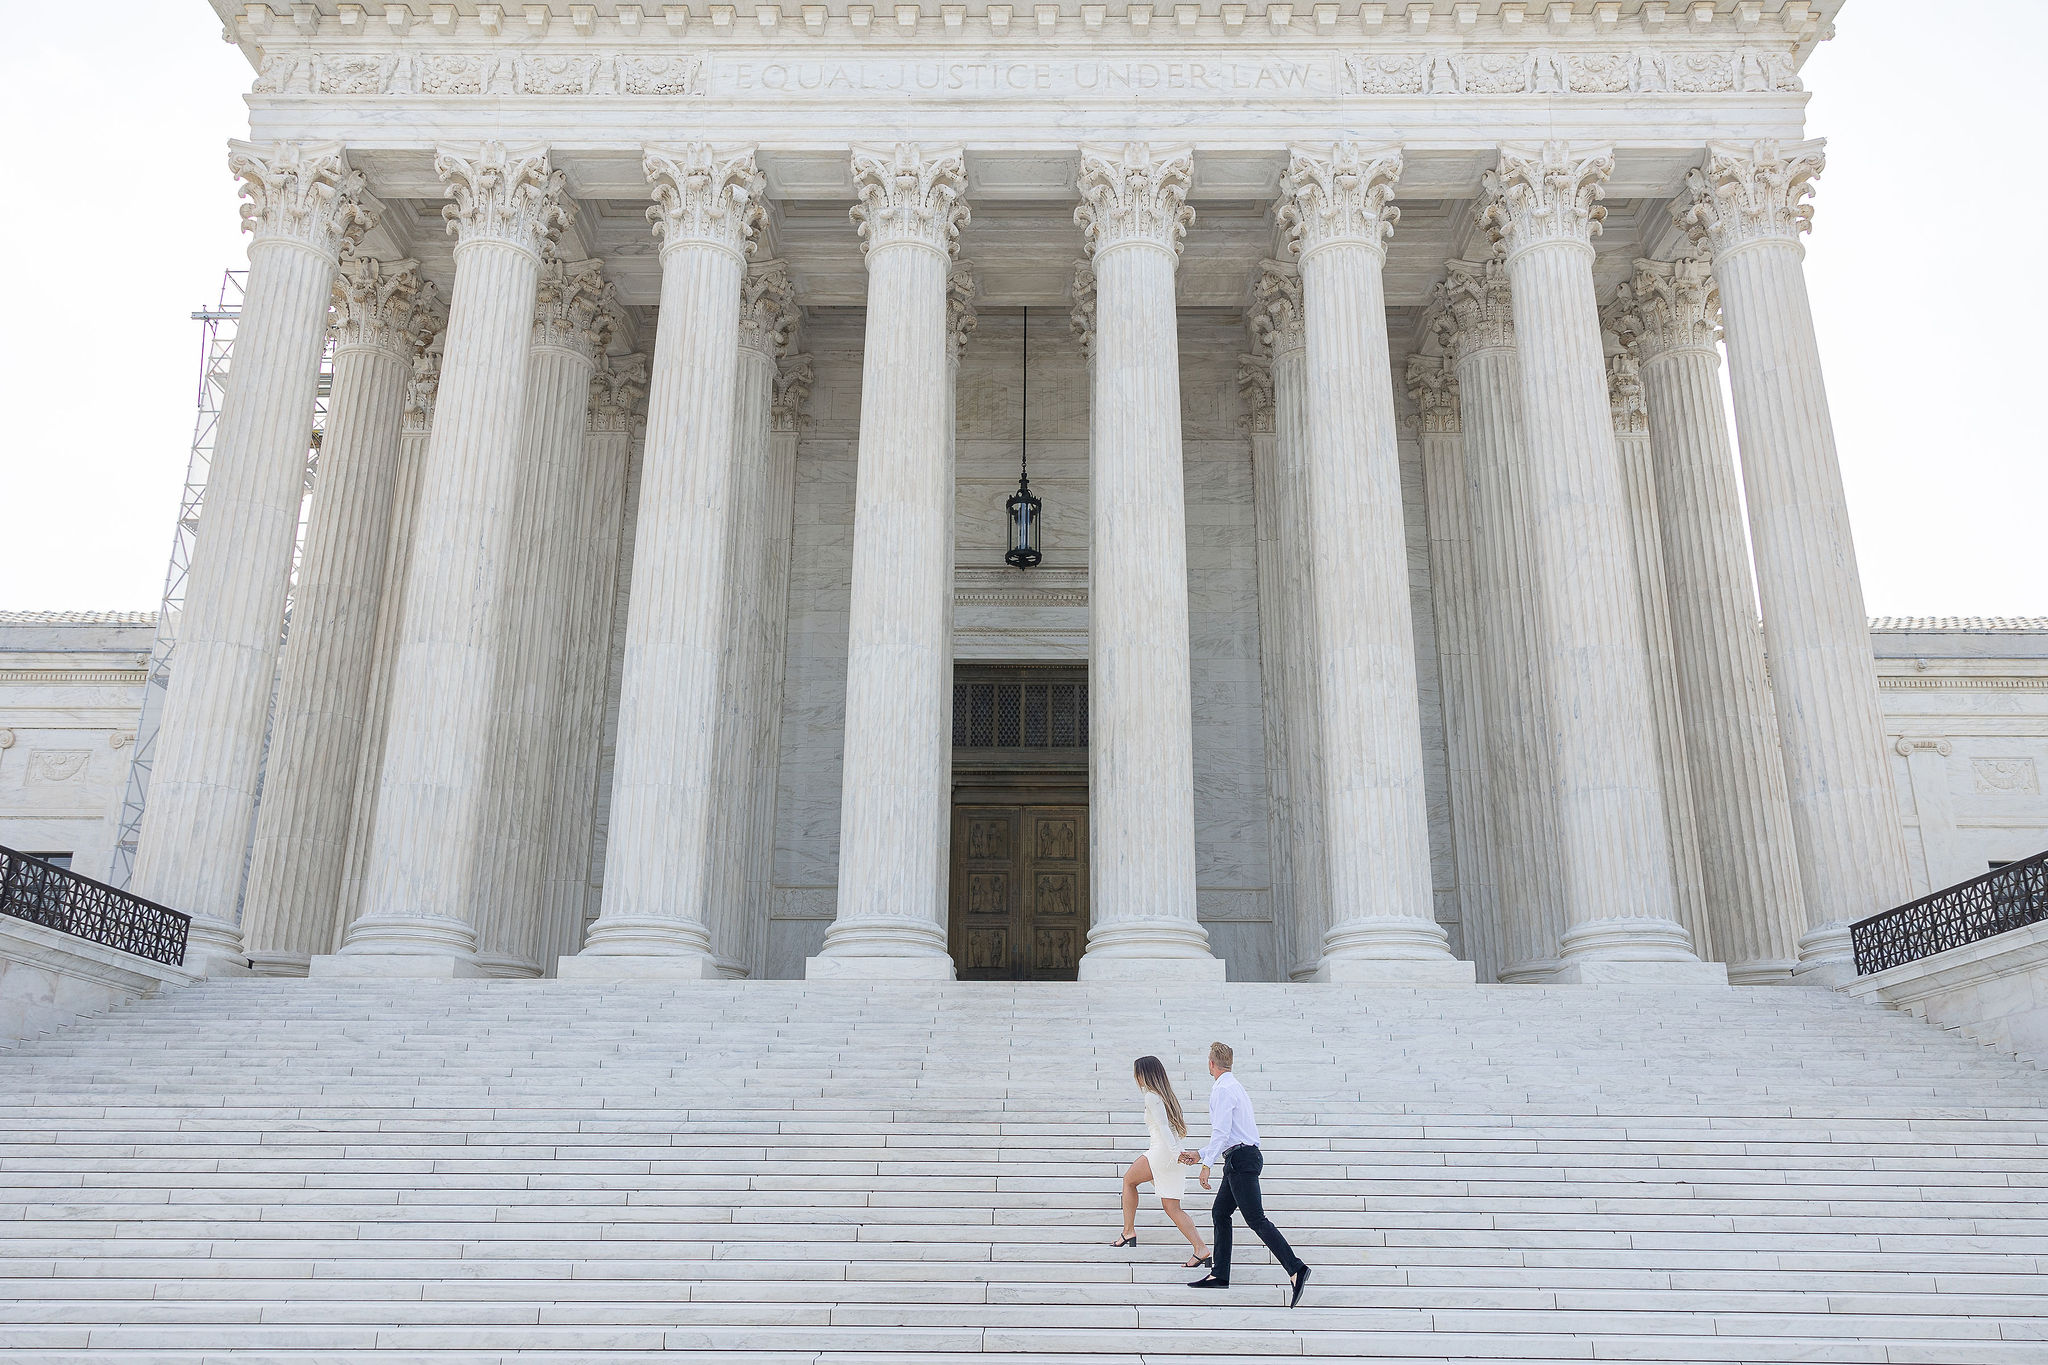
<point>472,73</point>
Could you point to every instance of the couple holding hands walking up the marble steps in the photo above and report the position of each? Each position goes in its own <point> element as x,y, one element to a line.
<point>1232,1151</point>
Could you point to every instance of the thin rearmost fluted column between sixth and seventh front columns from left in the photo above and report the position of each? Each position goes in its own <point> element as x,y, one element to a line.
<point>1455,595</point>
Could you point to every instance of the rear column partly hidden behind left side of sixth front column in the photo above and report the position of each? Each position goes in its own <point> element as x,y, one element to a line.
<point>1275,318</point>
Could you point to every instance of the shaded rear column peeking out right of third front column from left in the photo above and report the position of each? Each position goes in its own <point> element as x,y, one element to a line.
<point>767,322</point>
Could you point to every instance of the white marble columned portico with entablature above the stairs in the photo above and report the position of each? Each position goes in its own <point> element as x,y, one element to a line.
<point>1396,619</point>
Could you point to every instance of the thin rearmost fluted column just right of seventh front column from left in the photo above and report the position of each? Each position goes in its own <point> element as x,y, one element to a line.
<point>1674,770</point>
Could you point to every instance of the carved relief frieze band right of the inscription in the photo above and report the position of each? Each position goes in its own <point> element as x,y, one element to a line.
<point>1545,71</point>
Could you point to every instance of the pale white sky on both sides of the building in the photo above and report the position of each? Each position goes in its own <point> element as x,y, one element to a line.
<point>120,216</point>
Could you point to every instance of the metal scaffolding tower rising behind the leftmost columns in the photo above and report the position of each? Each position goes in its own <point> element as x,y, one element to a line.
<point>216,355</point>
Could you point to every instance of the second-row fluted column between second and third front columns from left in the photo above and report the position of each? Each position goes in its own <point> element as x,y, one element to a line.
<point>577,316</point>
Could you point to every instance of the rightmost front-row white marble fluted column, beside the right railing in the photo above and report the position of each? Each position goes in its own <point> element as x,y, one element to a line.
<point>1750,208</point>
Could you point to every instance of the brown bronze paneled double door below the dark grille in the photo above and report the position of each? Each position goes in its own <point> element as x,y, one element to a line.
<point>1019,891</point>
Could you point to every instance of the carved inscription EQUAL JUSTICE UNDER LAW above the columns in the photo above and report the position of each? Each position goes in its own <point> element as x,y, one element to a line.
<point>1015,79</point>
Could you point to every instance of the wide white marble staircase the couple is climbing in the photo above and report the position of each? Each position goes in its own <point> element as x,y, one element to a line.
<point>796,1172</point>
